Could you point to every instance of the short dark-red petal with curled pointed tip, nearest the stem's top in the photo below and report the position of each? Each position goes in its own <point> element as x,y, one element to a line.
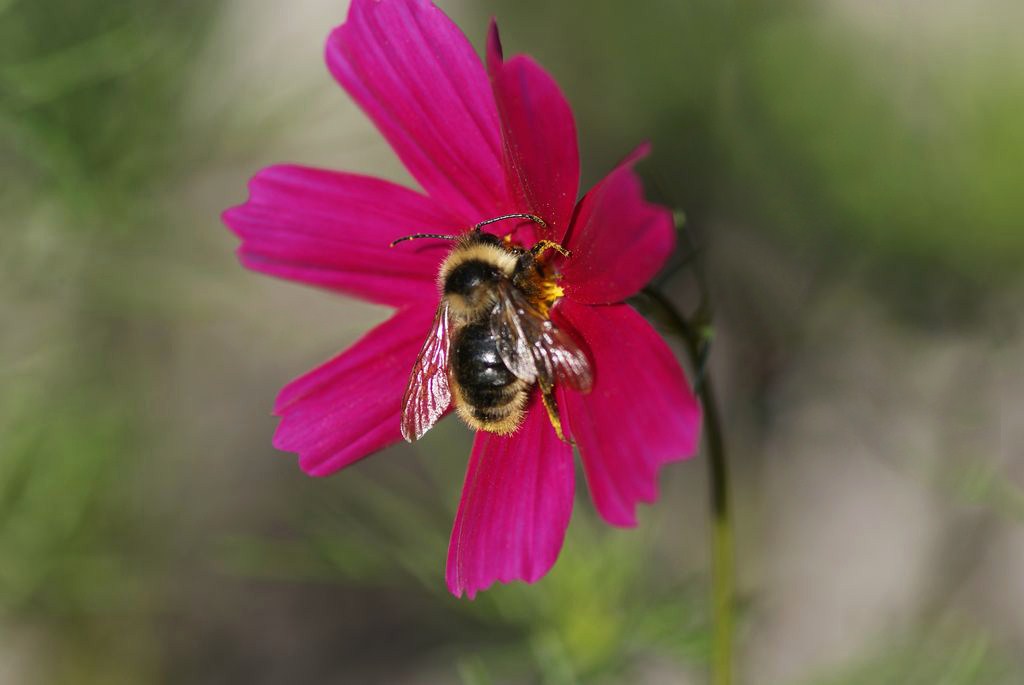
<point>619,240</point>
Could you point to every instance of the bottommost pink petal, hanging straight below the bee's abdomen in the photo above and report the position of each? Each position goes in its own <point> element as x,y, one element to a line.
<point>517,504</point>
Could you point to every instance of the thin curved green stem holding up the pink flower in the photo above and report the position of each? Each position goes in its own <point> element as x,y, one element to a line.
<point>697,341</point>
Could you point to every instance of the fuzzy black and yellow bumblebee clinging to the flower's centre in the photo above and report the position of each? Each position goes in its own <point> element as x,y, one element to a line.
<point>493,339</point>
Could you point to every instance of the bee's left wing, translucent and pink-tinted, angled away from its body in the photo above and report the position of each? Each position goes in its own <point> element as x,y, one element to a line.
<point>429,396</point>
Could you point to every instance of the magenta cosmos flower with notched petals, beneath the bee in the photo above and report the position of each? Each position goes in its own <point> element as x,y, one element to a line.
<point>482,144</point>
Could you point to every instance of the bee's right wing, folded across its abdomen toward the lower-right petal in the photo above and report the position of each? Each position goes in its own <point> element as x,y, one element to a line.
<point>533,348</point>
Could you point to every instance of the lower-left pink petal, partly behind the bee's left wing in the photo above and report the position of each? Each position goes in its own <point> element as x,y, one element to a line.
<point>352,406</point>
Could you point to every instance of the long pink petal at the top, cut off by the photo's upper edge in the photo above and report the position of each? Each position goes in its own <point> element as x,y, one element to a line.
<point>415,74</point>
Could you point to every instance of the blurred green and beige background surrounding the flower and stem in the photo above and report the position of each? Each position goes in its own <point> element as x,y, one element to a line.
<point>851,172</point>
